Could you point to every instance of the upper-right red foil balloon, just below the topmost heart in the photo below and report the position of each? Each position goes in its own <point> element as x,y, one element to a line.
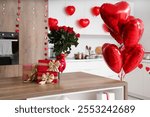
<point>132,32</point>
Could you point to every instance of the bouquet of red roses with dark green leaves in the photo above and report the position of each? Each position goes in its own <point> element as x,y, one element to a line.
<point>63,38</point>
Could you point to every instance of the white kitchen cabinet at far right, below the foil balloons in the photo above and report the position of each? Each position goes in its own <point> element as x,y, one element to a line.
<point>139,82</point>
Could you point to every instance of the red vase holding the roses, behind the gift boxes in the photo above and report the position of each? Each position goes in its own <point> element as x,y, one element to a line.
<point>61,58</point>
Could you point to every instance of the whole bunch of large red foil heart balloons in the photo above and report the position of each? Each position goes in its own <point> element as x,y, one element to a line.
<point>127,31</point>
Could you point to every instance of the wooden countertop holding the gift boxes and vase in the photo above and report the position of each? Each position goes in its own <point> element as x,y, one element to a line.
<point>15,88</point>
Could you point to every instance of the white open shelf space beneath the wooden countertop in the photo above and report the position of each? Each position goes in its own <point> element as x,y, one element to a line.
<point>84,95</point>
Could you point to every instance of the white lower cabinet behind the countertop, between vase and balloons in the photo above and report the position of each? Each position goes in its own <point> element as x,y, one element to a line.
<point>92,66</point>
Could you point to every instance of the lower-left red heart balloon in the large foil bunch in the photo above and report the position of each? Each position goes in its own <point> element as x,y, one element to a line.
<point>112,57</point>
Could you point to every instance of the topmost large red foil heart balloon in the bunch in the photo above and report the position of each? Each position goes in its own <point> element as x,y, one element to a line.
<point>115,15</point>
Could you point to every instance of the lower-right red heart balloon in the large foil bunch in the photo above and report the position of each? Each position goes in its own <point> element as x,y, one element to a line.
<point>132,56</point>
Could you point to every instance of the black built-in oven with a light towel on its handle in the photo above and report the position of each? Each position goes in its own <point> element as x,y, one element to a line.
<point>9,55</point>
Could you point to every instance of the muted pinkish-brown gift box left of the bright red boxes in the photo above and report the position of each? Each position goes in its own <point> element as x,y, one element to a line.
<point>29,72</point>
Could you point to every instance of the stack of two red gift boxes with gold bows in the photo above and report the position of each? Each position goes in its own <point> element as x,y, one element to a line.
<point>47,71</point>
